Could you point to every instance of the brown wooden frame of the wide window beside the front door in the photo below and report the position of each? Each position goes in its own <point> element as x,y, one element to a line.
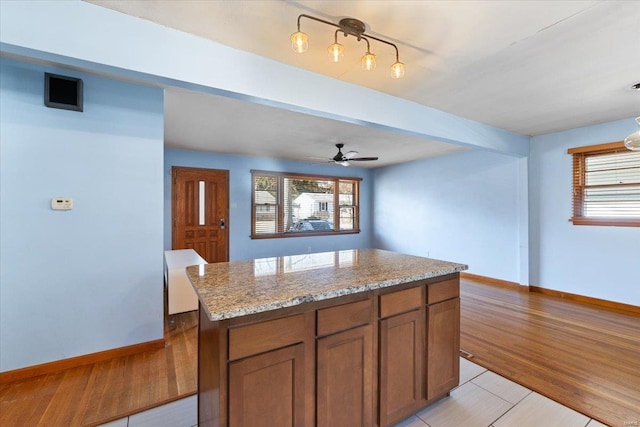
<point>279,204</point>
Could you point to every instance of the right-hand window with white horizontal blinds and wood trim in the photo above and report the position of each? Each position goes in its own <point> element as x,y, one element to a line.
<point>606,185</point>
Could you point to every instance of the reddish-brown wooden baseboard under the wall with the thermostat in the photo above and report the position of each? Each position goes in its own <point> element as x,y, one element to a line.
<point>73,362</point>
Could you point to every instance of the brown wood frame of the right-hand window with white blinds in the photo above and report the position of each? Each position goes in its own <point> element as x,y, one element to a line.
<point>579,155</point>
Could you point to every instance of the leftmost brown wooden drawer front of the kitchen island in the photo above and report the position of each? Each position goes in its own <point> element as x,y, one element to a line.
<point>264,336</point>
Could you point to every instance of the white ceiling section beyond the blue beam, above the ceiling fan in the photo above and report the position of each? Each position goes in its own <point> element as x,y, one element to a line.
<point>213,123</point>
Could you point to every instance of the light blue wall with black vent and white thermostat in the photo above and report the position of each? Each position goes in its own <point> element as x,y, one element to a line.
<point>90,279</point>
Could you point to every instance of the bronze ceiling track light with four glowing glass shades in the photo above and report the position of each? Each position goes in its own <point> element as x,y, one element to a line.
<point>348,27</point>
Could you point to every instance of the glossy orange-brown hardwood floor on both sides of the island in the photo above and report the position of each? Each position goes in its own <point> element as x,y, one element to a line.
<point>583,356</point>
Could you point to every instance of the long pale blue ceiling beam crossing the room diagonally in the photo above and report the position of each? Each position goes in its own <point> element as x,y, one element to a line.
<point>103,41</point>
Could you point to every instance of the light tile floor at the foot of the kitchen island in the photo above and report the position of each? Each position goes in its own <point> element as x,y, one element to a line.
<point>483,399</point>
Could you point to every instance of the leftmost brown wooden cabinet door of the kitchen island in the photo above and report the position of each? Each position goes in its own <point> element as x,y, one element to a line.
<point>267,390</point>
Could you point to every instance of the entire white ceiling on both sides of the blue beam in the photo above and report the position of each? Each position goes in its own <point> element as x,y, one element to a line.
<point>530,67</point>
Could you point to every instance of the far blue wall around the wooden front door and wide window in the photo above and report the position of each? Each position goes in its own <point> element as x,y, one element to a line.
<point>241,246</point>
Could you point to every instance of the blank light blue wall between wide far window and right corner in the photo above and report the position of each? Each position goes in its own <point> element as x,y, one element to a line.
<point>465,207</point>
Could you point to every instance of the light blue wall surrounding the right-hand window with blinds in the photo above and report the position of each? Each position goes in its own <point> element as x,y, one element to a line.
<point>600,262</point>
